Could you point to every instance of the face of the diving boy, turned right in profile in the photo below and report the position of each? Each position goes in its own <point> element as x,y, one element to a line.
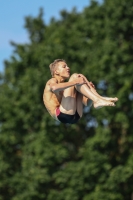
<point>63,70</point>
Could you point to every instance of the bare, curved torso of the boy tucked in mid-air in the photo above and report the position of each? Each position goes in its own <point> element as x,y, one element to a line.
<point>51,100</point>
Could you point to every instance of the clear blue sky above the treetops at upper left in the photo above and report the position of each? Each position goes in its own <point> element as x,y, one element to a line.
<point>12,14</point>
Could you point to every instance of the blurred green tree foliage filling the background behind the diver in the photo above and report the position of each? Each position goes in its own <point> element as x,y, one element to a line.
<point>40,159</point>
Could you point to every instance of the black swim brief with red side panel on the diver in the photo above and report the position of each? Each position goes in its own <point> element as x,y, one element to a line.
<point>67,119</point>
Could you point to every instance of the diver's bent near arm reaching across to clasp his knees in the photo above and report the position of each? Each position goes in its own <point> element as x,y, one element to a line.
<point>56,87</point>
